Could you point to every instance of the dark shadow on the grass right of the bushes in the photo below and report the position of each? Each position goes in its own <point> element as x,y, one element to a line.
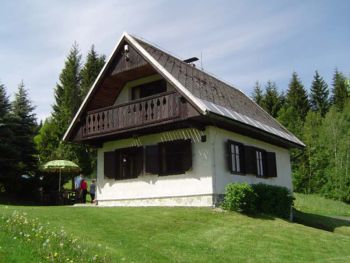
<point>320,221</point>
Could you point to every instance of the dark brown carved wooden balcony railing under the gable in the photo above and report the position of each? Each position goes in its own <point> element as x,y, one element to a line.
<point>163,107</point>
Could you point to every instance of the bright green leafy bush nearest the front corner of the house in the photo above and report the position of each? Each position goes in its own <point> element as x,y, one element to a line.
<point>240,197</point>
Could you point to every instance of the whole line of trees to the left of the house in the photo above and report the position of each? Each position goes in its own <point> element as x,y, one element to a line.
<point>26,144</point>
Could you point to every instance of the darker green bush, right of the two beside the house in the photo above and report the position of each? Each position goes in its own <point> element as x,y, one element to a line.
<point>272,199</point>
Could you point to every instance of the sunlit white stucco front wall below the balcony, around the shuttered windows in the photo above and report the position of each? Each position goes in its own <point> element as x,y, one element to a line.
<point>163,190</point>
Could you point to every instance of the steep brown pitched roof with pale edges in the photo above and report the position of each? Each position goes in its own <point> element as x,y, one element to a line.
<point>205,92</point>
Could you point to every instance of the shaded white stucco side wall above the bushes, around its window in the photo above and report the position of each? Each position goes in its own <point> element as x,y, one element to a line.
<point>222,176</point>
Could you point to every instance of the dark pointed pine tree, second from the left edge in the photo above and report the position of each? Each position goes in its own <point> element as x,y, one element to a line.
<point>24,132</point>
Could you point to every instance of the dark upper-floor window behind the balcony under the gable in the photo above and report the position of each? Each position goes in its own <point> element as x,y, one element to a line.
<point>148,89</point>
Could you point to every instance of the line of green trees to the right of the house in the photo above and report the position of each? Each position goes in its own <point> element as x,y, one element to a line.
<point>321,119</point>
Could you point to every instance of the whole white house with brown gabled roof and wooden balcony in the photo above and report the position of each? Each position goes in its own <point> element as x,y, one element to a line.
<point>170,134</point>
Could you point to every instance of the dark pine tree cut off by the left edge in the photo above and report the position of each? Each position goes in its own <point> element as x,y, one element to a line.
<point>8,155</point>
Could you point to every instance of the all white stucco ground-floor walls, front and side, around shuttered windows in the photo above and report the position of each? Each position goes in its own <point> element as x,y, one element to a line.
<point>209,174</point>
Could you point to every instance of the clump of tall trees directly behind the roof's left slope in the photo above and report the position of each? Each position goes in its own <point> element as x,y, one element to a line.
<point>74,83</point>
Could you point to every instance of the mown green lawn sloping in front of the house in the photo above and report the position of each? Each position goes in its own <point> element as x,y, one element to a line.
<point>195,234</point>
